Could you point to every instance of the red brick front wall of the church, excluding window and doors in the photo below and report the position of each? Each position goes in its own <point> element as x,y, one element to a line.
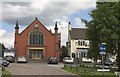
<point>51,47</point>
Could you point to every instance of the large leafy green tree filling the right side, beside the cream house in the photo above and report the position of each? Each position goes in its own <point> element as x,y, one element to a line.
<point>104,27</point>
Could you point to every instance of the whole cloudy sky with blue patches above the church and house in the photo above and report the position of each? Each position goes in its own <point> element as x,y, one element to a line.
<point>47,12</point>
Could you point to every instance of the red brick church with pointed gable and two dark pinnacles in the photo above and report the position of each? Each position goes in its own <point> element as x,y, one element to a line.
<point>36,41</point>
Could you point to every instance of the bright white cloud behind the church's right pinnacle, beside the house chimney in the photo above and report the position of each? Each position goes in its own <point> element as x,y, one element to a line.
<point>62,25</point>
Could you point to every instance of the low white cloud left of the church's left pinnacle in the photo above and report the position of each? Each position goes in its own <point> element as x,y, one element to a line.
<point>6,38</point>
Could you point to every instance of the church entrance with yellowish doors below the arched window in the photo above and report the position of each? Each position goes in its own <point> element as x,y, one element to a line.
<point>36,53</point>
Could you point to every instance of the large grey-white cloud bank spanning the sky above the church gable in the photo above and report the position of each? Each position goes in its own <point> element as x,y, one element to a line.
<point>46,11</point>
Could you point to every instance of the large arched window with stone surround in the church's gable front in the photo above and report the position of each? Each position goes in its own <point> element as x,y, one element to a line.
<point>36,38</point>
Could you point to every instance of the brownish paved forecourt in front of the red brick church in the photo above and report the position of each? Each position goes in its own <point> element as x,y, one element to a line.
<point>36,69</point>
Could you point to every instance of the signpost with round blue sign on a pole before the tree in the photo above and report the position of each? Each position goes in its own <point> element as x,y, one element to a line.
<point>102,48</point>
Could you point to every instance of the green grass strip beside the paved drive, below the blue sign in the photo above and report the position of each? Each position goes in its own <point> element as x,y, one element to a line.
<point>88,71</point>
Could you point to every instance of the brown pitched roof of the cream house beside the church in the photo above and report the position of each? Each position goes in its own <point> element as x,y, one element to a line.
<point>78,33</point>
